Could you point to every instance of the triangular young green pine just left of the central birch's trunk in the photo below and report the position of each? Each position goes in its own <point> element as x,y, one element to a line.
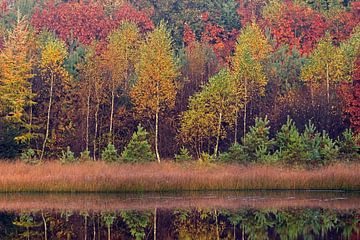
<point>138,149</point>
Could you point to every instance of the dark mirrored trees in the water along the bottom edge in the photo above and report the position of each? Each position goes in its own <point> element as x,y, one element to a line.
<point>195,223</point>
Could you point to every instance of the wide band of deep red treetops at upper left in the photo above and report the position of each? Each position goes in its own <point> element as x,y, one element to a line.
<point>86,21</point>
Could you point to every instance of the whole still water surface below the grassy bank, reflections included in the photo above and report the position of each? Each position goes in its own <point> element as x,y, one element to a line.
<point>194,215</point>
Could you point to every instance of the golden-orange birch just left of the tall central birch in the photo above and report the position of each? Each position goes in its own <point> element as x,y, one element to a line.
<point>119,61</point>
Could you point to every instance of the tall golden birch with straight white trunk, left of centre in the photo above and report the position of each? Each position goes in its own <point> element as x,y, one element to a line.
<point>155,88</point>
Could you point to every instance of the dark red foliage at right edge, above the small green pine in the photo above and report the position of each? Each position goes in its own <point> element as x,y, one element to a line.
<point>351,96</point>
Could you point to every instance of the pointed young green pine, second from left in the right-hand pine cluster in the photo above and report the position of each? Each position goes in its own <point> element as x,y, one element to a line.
<point>289,143</point>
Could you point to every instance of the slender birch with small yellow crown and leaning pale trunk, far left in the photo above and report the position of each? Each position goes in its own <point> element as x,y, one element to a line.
<point>53,54</point>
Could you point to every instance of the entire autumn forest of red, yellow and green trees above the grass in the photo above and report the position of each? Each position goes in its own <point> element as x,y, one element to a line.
<point>143,80</point>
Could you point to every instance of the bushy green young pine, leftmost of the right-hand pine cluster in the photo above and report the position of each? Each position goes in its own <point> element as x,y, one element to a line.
<point>257,142</point>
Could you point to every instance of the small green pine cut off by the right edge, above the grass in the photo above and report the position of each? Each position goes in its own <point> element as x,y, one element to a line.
<point>348,147</point>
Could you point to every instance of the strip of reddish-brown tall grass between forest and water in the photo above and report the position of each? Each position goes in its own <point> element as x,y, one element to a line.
<point>102,177</point>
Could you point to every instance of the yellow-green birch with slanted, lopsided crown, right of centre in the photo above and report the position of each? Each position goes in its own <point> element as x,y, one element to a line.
<point>214,106</point>
